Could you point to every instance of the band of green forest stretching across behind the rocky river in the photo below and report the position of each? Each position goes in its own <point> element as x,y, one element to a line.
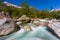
<point>29,11</point>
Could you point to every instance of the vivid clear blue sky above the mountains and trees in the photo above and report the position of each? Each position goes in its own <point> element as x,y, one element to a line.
<point>39,4</point>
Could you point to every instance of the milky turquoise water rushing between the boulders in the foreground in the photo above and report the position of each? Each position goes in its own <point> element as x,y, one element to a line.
<point>37,33</point>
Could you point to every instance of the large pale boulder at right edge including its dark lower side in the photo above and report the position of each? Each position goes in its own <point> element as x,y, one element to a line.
<point>54,27</point>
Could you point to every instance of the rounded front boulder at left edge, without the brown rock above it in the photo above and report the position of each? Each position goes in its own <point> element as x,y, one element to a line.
<point>6,26</point>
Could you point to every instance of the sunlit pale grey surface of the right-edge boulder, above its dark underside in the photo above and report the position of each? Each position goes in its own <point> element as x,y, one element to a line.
<point>55,26</point>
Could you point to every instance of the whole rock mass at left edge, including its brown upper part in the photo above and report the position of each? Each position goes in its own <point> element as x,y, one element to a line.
<point>7,25</point>
